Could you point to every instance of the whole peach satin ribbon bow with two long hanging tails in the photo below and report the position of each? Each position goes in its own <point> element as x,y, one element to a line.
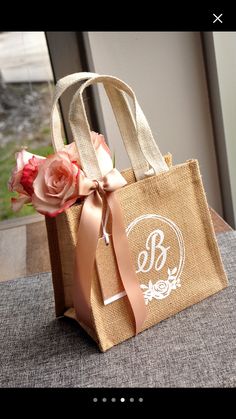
<point>88,234</point>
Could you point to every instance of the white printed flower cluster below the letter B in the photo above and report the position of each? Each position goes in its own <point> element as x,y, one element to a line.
<point>161,289</point>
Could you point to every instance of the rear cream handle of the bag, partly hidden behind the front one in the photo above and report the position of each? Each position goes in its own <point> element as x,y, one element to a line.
<point>122,113</point>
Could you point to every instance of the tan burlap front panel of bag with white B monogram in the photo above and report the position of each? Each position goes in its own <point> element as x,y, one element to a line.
<point>173,248</point>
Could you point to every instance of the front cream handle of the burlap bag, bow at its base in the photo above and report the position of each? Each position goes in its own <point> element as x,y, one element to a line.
<point>81,131</point>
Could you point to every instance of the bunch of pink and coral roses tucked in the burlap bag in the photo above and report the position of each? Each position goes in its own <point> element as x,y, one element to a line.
<point>51,183</point>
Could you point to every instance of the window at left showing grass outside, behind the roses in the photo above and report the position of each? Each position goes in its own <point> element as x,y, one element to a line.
<point>25,101</point>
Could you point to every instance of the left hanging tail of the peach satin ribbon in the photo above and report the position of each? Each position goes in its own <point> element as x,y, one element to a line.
<point>87,238</point>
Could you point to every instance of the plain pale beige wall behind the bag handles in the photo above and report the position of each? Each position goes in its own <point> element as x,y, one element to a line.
<point>166,70</point>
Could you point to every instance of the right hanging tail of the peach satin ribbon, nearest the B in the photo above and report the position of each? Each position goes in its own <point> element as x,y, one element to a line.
<point>124,263</point>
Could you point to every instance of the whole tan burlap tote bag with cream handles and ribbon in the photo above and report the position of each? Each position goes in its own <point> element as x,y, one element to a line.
<point>131,254</point>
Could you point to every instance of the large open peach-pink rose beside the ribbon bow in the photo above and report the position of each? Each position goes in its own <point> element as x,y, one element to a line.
<point>56,185</point>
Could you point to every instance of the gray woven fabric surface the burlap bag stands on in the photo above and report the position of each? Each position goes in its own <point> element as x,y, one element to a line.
<point>195,348</point>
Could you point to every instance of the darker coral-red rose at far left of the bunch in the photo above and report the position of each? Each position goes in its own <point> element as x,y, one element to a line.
<point>23,176</point>
